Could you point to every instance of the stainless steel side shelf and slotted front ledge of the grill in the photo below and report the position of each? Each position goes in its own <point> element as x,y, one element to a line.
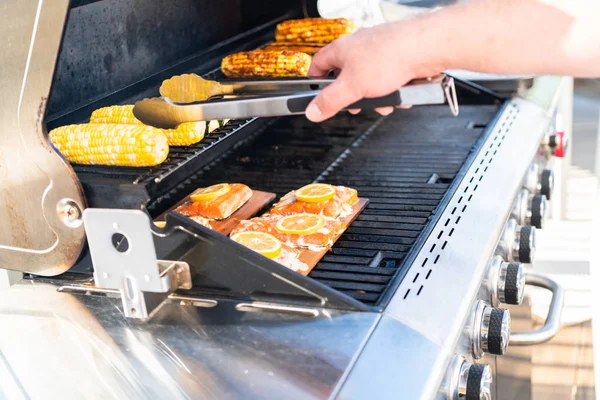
<point>189,351</point>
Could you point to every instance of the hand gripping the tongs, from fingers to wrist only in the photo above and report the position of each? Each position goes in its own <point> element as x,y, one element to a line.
<point>371,62</point>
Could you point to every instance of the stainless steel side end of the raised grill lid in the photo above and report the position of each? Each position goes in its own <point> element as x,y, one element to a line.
<point>40,198</point>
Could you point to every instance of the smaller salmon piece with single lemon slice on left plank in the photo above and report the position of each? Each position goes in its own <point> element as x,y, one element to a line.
<point>220,207</point>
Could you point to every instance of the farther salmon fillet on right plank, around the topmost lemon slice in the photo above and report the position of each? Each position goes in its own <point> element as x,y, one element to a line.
<point>339,206</point>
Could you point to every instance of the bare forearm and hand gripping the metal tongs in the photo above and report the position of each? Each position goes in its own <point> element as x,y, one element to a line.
<point>549,37</point>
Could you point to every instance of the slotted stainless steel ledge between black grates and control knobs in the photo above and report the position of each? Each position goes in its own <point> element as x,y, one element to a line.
<point>458,250</point>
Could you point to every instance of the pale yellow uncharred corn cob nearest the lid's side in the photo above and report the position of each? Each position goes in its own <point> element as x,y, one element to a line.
<point>111,144</point>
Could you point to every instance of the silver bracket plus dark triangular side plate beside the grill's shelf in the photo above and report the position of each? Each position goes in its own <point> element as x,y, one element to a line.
<point>204,264</point>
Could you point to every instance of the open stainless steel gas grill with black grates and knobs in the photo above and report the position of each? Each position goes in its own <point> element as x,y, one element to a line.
<point>407,304</point>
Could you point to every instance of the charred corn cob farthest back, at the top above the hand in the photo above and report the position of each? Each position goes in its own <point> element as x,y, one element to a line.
<point>313,30</point>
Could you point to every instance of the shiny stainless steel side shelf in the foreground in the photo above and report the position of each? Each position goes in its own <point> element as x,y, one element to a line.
<point>61,345</point>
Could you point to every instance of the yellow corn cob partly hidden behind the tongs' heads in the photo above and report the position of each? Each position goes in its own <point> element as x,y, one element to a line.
<point>183,135</point>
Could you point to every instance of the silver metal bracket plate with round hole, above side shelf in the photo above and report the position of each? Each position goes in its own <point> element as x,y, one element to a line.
<point>124,258</point>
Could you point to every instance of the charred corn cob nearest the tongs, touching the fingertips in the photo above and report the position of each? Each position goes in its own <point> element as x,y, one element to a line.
<point>261,63</point>
